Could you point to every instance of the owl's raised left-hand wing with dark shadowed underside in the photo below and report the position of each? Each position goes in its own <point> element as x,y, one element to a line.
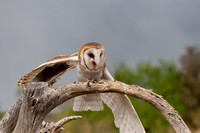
<point>50,71</point>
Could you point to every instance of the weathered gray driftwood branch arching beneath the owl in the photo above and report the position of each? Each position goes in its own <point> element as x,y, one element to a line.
<point>38,100</point>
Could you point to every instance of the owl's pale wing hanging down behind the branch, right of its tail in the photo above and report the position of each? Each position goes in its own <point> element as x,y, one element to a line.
<point>126,118</point>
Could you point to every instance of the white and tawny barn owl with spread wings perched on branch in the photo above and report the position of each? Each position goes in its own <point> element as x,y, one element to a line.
<point>91,65</point>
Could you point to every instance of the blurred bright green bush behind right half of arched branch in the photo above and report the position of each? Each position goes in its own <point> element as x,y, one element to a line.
<point>162,79</point>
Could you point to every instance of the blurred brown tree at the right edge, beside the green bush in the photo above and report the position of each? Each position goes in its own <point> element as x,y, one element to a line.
<point>190,65</point>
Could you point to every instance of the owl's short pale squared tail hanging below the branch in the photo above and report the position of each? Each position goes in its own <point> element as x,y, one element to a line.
<point>88,102</point>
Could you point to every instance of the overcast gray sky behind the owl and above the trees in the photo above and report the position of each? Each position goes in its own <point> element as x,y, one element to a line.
<point>33,31</point>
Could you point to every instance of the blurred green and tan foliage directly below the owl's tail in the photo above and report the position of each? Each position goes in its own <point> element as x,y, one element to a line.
<point>92,121</point>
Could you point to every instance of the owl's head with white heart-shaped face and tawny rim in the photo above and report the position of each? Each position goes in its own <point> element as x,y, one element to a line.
<point>92,56</point>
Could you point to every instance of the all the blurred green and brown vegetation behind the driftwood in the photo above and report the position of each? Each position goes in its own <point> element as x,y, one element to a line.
<point>178,83</point>
